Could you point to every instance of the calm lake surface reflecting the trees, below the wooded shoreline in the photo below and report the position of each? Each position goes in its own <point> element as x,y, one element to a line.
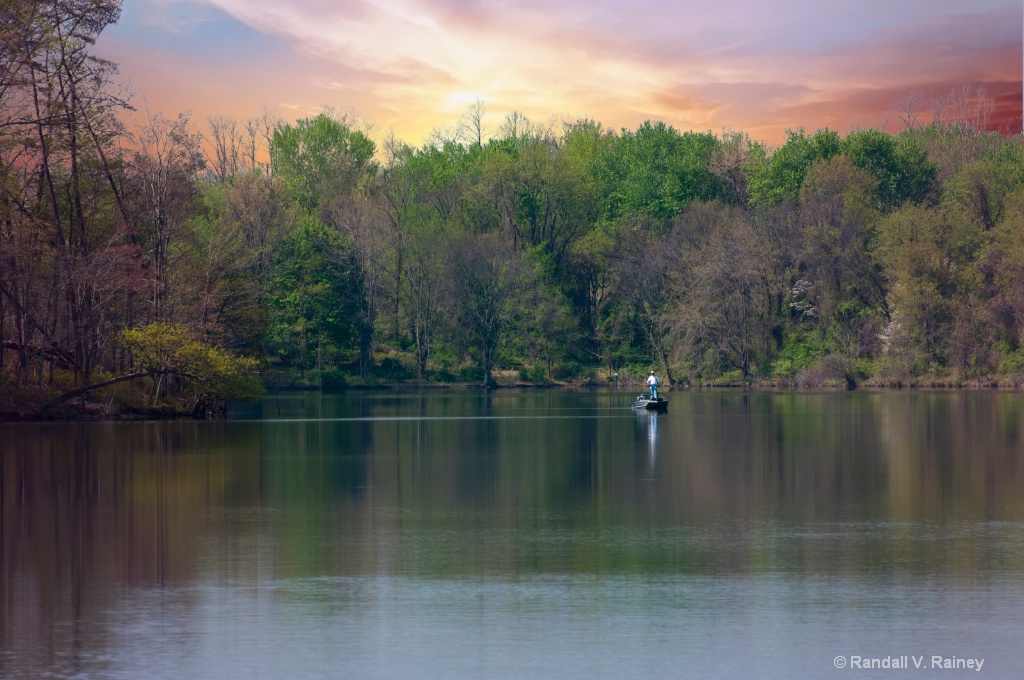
<point>539,534</point>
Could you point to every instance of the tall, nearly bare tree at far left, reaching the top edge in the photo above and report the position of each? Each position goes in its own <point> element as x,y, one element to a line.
<point>59,194</point>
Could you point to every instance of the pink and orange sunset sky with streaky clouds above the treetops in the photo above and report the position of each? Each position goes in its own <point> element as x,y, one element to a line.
<point>411,66</point>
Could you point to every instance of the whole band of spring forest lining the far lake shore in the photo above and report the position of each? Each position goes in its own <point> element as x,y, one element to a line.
<point>200,261</point>
